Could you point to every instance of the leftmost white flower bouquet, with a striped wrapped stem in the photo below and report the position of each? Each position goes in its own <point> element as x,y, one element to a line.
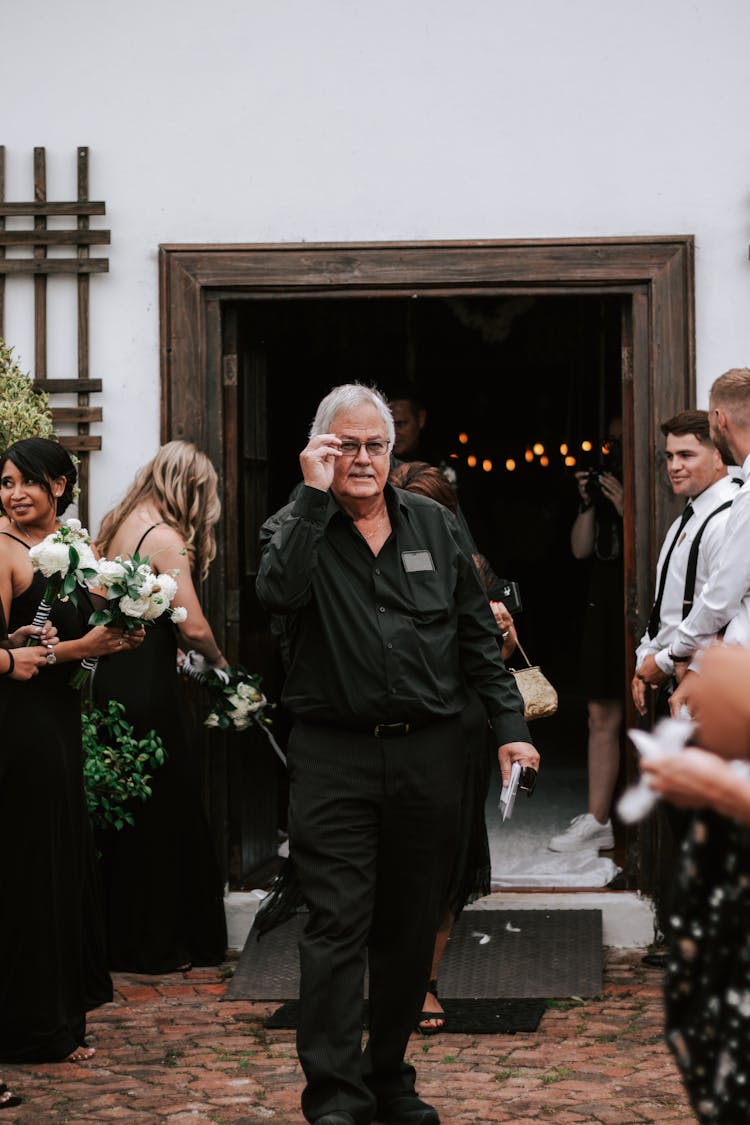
<point>67,561</point>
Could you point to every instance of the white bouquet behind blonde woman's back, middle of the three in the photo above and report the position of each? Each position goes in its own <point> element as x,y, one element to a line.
<point>135,597</point>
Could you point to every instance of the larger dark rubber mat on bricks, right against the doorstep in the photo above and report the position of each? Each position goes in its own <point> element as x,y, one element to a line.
<point>510,955</point>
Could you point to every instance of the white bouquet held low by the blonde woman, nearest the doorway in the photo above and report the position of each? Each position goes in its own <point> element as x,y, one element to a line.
<point>237,699</point>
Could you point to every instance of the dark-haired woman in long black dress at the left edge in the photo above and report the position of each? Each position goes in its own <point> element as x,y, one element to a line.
<point>52,959</point>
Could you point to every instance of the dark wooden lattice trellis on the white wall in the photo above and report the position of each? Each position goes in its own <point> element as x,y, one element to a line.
<point>39,266</point>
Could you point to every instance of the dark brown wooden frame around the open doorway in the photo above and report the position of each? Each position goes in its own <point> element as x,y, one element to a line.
<point>205,374</point>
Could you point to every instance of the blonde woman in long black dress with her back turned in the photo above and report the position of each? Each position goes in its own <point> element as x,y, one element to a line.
<point>164,894</point>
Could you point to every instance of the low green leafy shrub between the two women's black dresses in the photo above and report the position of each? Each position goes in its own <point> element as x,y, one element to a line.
<point>116,766</point>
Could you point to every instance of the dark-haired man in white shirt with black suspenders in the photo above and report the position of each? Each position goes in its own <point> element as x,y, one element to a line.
<point>691,551</point>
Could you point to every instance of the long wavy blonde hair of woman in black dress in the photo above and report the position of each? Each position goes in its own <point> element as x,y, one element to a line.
<point>183,484</point>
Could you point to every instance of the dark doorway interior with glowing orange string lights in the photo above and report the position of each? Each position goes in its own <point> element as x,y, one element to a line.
<point>513,389</point>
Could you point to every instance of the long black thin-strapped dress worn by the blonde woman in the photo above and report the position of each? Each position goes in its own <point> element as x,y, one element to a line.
<point>164,894</point>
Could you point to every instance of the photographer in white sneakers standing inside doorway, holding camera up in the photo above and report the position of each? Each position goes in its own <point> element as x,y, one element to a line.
<point>597,535</point>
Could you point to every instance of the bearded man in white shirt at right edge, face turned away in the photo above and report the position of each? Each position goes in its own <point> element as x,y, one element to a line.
<point>725,602</point>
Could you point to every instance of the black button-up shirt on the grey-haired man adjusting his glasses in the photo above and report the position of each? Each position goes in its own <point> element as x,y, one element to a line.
<point>386,638</point>
